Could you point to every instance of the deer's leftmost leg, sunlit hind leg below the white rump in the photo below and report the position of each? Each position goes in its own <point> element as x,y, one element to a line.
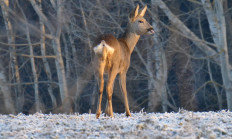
<point>101,82</point>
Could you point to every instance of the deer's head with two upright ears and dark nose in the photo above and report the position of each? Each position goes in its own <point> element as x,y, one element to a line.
<point>138,24</point>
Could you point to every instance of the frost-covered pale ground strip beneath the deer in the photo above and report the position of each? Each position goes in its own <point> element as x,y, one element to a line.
<point>184,124</point>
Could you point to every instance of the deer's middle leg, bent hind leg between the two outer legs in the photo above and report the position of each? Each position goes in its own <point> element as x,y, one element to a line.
<point>110,84</point>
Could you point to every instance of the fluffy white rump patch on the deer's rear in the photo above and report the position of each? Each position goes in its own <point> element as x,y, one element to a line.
<point>99,48</point>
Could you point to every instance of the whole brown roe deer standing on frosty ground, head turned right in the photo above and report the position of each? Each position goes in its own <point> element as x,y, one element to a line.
<point>113,57</point>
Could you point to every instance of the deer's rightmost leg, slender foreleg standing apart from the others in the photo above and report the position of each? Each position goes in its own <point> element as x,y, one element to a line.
<point>123,86</point>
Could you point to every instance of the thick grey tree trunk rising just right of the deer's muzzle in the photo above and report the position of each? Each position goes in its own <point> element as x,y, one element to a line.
<point>158,77</point>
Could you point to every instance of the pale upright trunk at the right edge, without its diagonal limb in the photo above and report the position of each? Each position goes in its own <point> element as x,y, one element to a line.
<point>216,20</point>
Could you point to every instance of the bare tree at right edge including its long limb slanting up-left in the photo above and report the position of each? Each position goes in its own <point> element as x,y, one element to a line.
<point>217,27</point>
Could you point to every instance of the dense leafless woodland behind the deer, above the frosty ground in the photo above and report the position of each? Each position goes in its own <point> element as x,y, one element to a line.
<point>46,55</point>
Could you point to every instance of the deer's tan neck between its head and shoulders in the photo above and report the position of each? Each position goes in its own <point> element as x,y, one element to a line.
<point>131,39</point>
